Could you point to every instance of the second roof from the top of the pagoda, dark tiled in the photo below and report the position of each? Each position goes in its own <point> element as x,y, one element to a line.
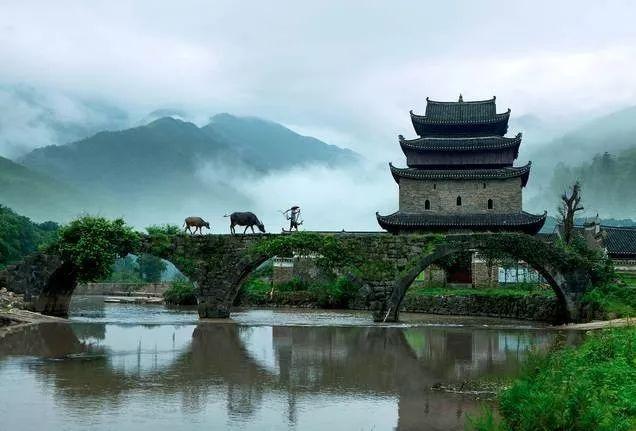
<point>460,143</point>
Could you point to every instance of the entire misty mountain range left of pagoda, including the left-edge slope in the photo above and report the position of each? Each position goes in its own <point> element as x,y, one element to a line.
<point>168,162</point>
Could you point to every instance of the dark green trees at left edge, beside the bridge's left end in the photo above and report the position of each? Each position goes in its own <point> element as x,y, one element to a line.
<point>19,236</point>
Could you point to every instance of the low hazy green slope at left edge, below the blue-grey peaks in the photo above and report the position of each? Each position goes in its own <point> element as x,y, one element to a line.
<point>36,195</point>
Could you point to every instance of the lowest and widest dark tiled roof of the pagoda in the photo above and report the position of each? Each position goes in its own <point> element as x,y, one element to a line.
<point>521,221</point>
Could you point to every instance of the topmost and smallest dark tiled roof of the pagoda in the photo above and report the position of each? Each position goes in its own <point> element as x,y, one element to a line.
<point>460,113</point>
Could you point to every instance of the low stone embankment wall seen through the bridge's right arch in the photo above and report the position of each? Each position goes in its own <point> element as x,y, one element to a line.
<point>532,307</point>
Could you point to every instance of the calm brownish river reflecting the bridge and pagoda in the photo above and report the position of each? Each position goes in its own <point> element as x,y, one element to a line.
<point>141,367</point>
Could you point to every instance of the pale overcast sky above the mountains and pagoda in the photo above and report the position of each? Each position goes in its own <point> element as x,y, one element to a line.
<point>346,72</point>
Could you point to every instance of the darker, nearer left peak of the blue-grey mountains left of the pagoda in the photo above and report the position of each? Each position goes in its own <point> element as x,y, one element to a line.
<point>162,153</point>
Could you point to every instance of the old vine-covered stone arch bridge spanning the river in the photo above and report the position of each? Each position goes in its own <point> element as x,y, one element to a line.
<point>384,265</point>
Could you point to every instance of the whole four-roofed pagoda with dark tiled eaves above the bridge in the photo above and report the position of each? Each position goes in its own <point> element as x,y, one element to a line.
<point>460,175</point>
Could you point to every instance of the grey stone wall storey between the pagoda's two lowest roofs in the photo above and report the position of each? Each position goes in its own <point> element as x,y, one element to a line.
<point>442,195</point>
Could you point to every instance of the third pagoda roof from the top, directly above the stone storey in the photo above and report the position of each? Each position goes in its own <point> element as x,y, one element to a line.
<point>462,174</point>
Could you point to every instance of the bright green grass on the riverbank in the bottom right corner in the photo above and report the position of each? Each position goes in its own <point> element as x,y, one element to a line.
<point>591,387</point>
